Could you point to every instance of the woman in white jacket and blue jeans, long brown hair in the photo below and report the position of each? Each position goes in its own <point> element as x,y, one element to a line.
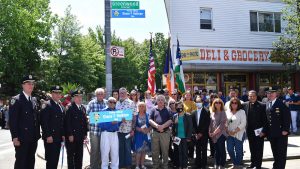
<point>236,118</point>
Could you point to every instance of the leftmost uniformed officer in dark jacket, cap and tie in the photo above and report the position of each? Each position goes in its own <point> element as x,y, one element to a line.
<point>24,125</point>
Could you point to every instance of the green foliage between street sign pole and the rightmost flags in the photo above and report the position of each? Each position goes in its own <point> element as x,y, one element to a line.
<point>132,70</point>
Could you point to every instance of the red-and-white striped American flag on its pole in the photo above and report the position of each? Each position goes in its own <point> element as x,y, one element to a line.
<point>151,71</point>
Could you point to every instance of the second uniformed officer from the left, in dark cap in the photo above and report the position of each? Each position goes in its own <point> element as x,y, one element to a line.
<point>52,123</point>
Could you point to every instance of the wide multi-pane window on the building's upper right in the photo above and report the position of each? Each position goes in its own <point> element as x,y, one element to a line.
<point>265,22</point>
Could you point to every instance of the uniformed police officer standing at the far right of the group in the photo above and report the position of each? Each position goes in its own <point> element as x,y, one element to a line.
<point>279,120</point>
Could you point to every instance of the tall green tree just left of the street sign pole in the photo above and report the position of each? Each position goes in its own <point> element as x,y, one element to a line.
<point>76,59</point>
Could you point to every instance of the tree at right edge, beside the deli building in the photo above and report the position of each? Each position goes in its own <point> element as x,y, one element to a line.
<point>287,48</point>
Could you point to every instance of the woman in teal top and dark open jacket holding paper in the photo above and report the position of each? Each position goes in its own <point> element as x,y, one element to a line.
<point>182,132</point>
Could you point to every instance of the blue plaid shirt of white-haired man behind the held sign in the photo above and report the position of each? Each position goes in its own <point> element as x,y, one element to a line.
<point>96,106</point>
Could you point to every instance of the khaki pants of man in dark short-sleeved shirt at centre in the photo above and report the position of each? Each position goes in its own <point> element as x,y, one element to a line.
<point>160,141</point>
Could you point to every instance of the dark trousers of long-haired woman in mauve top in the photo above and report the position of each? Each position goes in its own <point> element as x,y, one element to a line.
<point>220,151</point>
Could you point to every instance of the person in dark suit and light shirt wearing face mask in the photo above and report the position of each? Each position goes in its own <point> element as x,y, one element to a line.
<point>201,120</point>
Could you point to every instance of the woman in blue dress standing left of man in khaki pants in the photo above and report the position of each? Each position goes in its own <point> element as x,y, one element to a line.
<point>141,136</point>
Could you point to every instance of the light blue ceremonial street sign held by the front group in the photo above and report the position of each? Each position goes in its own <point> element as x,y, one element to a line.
<point>109,116</point>
